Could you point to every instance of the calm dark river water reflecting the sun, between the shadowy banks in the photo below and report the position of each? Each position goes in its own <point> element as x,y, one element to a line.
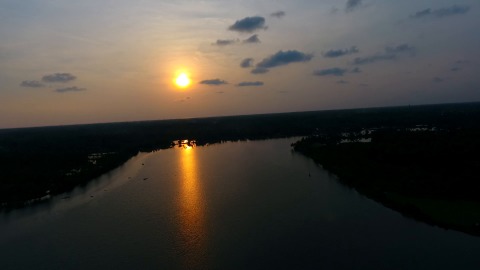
<point>247,205</point>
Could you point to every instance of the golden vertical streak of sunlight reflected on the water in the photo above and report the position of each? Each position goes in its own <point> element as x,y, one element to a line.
<point>192,223</point>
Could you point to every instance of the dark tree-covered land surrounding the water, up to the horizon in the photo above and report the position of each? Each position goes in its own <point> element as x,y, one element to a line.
<point>420,160</point>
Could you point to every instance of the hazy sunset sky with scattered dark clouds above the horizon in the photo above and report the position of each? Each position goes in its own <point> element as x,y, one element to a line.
<point>92,61</point>
